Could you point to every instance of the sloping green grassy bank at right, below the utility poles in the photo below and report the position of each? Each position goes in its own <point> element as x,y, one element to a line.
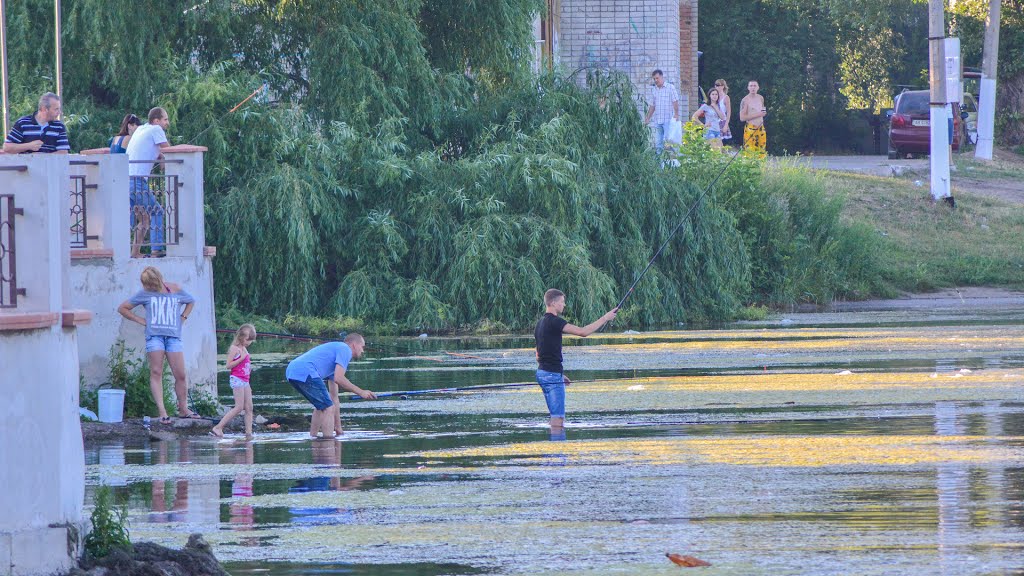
<point>928,246</point>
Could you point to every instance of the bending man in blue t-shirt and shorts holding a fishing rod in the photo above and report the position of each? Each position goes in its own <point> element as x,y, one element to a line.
<point>327,362</point>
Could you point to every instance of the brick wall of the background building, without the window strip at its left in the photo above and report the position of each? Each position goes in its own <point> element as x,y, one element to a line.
<point>631,36</point>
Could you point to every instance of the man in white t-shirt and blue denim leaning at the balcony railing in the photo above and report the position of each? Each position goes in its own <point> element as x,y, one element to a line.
<point>144,151</point>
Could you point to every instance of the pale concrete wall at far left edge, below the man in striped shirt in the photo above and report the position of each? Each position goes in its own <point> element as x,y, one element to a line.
<point>42,467</point>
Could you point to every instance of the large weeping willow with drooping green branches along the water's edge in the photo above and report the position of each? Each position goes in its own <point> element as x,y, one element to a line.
<point>406,167</point>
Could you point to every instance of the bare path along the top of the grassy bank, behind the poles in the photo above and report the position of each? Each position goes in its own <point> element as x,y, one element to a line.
<point>1007,189</point>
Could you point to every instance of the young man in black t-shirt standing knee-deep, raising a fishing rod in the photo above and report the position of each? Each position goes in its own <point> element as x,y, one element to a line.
<point>549,352</point>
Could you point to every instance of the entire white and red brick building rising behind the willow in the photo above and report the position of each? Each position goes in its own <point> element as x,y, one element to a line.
<point>630,36</point>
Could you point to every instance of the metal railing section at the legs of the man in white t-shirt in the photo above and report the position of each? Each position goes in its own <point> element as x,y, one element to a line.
<point>154,203</point>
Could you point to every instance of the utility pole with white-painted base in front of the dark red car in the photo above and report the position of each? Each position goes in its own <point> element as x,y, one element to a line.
<point>937,107</point>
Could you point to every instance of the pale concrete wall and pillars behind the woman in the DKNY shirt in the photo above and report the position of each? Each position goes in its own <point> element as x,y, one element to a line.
<point>105,275</point>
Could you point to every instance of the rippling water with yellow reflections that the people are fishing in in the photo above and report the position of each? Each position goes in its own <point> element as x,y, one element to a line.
<point>887,442</point>
